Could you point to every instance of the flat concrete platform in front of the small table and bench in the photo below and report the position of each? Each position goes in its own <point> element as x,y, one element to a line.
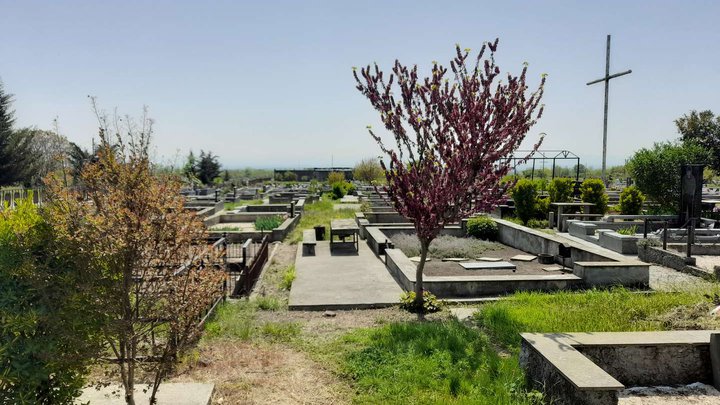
<point>344,280</point>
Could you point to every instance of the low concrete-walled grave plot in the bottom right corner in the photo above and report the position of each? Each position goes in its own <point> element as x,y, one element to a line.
<point>595,368</point>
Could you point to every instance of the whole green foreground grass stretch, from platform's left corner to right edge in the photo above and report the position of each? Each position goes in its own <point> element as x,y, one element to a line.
<point>448,362</point>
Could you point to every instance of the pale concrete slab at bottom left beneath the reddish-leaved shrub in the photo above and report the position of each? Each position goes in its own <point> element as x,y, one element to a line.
<point>168,394</point>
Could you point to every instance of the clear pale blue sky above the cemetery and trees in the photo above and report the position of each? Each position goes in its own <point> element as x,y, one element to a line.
<point>268,84</point>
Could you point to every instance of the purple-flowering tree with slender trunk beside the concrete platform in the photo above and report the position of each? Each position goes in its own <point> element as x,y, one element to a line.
<point>455,141</point>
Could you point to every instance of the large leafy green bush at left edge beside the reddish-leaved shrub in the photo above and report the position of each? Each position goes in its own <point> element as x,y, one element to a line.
<point>47,324</point>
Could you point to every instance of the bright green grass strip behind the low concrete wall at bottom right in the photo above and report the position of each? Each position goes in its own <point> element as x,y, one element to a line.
<point>591,311</point>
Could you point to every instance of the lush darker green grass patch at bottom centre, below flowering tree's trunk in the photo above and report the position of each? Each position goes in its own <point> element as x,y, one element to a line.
<point>431,363</point>
